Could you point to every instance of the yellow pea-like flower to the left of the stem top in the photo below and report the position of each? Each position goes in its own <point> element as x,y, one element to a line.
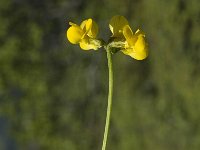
<point>84,35</point>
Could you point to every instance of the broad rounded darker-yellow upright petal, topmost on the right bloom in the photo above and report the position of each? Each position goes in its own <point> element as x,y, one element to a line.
<point>116,25</point>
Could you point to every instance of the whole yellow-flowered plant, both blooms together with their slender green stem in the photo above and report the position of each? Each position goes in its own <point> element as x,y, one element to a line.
<point>122,39</point>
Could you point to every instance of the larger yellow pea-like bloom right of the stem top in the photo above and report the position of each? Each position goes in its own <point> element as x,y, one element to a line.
<point>135,44</point>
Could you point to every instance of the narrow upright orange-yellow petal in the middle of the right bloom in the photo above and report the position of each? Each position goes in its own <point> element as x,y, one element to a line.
<point>129,36</point>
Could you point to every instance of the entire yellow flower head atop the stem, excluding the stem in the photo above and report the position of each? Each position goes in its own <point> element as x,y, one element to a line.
<point>122,39</point>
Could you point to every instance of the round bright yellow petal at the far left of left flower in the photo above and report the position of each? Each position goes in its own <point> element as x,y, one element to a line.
<point>74,34</point>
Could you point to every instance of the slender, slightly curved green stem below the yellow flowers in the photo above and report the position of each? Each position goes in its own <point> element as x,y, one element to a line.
<point>110,94</point>
